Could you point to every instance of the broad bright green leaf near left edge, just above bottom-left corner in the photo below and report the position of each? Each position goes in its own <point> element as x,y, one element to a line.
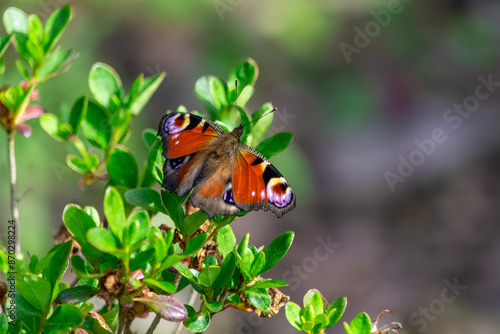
<point>36,290</point>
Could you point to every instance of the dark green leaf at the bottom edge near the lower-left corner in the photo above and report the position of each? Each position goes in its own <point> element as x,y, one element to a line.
<point>64,319</point>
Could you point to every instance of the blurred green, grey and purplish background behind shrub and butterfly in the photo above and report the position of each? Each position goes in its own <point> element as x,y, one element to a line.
<point>355,105</point>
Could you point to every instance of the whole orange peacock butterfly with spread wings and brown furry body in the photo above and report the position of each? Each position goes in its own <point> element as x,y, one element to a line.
<point>227,175</point>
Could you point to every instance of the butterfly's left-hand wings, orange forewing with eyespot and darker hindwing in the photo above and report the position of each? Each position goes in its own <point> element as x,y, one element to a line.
<point>184,137</point>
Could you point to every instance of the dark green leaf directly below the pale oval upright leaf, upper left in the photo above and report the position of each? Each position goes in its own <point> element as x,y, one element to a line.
<point>96,127</point>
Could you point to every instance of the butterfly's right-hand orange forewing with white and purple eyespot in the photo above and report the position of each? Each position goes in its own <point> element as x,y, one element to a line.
<point>257,184</point>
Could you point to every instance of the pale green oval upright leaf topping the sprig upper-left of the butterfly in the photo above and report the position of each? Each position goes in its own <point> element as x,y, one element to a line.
<point>104,84</point>
